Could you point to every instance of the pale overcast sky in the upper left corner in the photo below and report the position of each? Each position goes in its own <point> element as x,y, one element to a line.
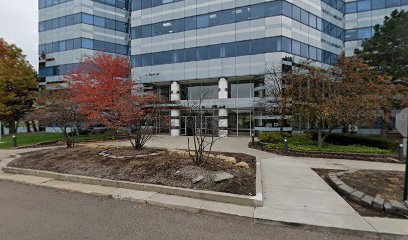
<point>19,24</point>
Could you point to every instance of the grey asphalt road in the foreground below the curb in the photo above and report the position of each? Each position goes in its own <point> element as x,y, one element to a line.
<point>28,212</point>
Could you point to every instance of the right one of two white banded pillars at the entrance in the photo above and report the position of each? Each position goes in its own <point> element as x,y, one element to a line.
<point>222,112</point>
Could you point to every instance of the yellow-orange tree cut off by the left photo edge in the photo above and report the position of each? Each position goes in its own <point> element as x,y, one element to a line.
<point>18,85</point>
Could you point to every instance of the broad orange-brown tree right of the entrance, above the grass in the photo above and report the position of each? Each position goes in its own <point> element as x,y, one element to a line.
<point>344,95</point>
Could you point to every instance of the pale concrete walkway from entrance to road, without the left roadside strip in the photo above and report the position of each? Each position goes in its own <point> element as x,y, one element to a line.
<point>294,193</point>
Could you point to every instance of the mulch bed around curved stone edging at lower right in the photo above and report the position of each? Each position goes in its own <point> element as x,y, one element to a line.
<point>386,184</point>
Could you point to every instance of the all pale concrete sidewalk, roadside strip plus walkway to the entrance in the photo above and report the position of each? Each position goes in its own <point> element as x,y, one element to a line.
<point>292,191</point>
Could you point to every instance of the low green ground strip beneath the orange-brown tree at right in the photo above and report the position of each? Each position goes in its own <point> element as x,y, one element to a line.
<point>306,145</point>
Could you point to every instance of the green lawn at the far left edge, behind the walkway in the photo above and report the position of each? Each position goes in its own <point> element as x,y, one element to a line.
<point>24,139</point>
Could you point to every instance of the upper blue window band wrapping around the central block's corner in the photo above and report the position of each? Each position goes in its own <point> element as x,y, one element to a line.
<point>246,13</point>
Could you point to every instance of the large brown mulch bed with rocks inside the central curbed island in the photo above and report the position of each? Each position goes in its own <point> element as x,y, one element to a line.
<point>169,168</point>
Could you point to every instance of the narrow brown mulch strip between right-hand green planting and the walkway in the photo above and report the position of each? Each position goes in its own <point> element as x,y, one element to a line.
<point>346,156</point>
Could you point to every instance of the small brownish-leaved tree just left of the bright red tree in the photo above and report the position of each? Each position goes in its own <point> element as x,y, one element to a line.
<point>55,107</point>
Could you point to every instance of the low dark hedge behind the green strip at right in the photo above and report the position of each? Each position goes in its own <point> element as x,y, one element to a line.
<point>348,139</point>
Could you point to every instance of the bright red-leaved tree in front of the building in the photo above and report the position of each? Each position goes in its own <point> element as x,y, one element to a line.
<point>103,87</point>
